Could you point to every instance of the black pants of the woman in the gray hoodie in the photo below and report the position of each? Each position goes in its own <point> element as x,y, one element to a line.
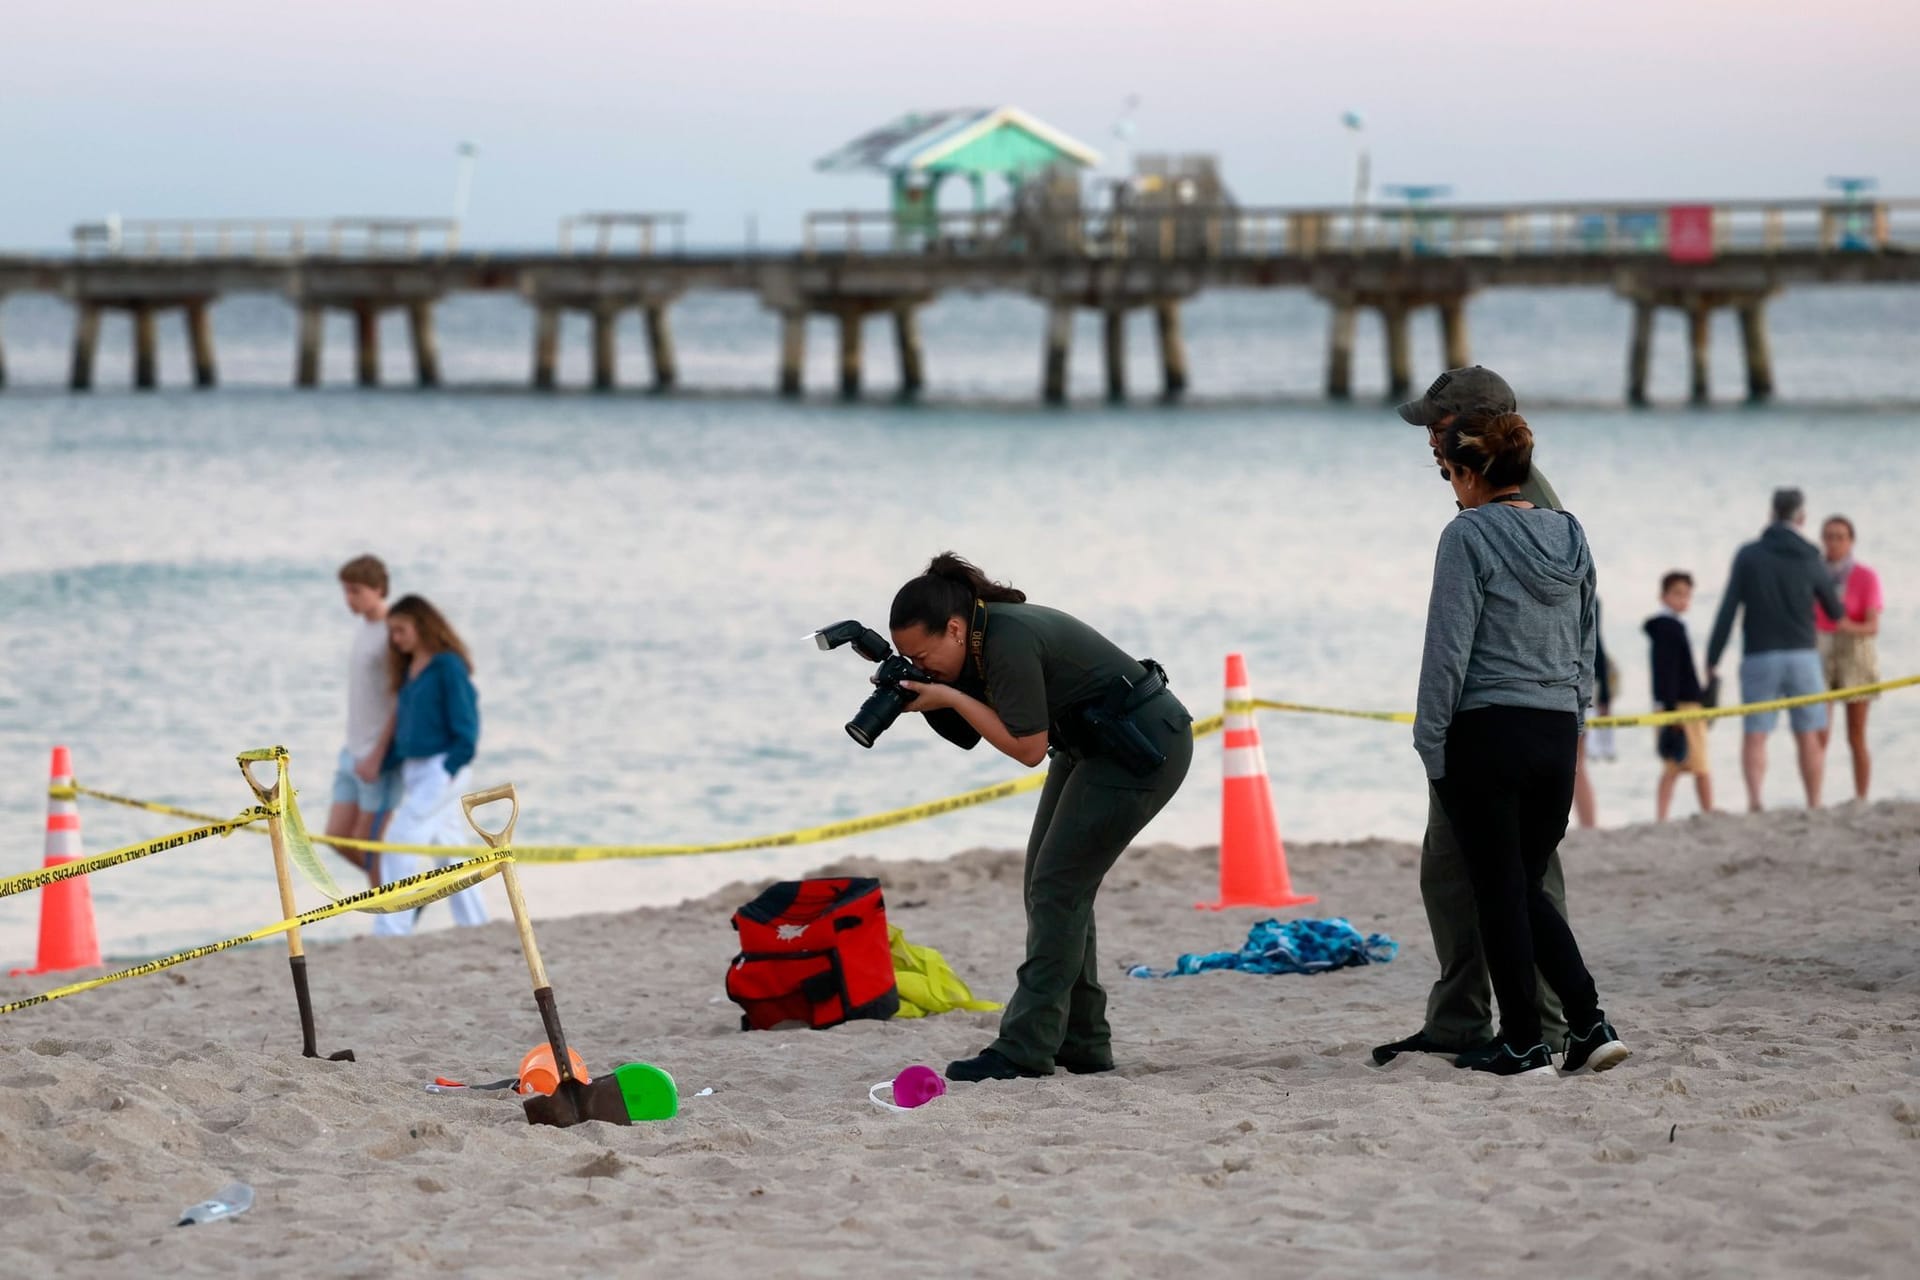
<point>1508,790</point>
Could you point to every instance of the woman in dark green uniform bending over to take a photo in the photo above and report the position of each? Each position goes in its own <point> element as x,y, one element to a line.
<point>1036,684</point>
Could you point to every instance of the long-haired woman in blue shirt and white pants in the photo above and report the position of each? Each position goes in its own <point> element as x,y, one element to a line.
<point>437,728</point>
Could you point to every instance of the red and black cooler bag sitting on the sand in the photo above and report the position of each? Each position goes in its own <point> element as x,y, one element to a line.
<point>813,953</point>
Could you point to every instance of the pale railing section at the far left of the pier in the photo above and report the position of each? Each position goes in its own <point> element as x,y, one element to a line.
<point>268,239</point>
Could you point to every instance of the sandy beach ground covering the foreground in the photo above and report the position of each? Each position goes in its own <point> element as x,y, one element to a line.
<point>1764,970</point>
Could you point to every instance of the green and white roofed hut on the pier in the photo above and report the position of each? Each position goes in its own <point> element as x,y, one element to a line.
<point>924,149</point>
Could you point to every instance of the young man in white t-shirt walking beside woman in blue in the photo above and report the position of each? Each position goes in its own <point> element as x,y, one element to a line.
<point>364,790</point>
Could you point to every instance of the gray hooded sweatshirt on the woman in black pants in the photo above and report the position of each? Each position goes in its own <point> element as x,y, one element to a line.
<point>1510,623</point>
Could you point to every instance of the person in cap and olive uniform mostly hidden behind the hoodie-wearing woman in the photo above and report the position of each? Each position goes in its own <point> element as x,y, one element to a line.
<point>1460,1008</point>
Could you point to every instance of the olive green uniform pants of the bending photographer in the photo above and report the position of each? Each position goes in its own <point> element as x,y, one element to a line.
<point>1090,813</point>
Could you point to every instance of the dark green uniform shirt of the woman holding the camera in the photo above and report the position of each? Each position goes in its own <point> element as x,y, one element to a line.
<point>1042,661</point>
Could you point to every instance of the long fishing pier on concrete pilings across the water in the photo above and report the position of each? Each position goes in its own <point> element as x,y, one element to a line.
<point>1397,262</point>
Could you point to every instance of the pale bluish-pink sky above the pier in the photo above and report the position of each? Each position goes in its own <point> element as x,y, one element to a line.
<point>719,108</point>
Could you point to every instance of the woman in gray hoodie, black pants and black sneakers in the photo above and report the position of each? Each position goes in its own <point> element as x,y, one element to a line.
<point>1506,675</point>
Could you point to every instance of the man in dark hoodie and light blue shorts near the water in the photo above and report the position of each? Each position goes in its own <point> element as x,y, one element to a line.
<point>1779,579</point>
